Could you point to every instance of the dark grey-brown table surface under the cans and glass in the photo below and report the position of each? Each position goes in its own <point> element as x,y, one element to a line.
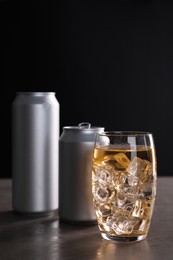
<point>49,238</point>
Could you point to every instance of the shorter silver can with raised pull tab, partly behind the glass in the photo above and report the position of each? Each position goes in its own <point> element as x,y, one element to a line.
<point>75,170</point>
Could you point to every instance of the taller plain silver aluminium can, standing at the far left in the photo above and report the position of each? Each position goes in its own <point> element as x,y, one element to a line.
<point>35,153</point>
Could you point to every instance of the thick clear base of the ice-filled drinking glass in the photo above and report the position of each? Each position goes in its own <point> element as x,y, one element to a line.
<point>121,239</point>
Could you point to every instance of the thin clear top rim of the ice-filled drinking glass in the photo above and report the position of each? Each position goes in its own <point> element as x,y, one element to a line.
<point>125,133</point>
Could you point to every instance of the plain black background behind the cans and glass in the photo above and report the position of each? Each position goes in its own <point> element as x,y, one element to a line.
<point>109,62</point>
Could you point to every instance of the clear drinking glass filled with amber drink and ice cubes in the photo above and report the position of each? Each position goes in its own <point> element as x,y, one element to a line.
<point>124,180</point>
